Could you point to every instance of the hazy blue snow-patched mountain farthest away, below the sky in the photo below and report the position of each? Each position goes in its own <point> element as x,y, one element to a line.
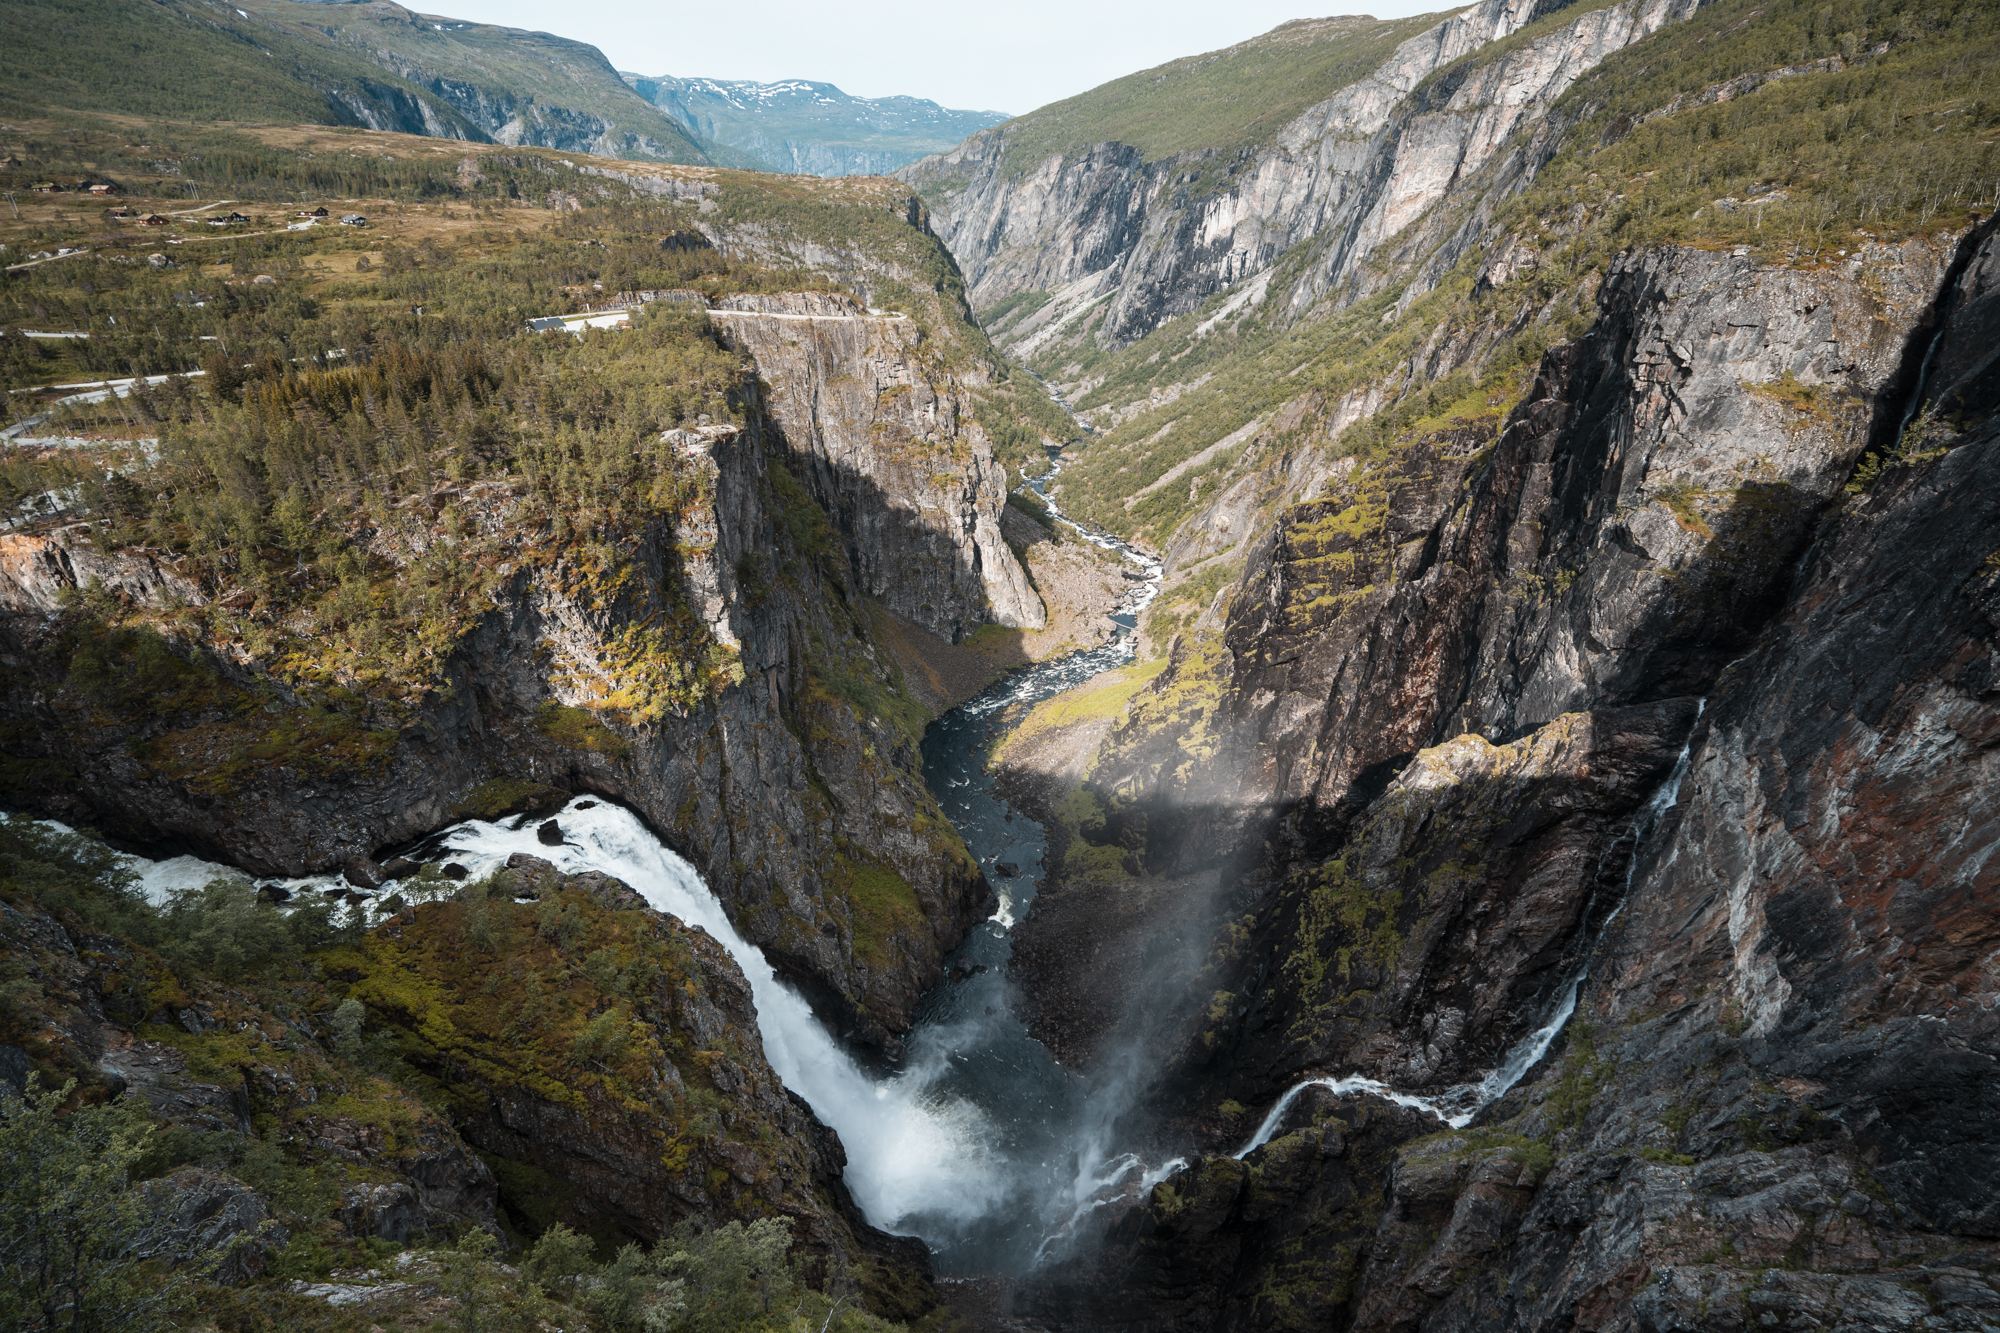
<point>809,129</point>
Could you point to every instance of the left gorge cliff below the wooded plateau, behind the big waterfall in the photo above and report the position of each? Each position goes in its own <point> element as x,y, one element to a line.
<point>785,774</point>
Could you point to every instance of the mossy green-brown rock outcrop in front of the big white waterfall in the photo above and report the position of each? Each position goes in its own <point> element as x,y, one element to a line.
<point>621,1104</point>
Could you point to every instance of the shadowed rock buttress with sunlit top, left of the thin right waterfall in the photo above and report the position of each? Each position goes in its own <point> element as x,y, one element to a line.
<point>1457,912</point>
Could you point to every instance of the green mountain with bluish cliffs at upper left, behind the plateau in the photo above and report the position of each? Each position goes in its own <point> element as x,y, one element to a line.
<point>369,65</point>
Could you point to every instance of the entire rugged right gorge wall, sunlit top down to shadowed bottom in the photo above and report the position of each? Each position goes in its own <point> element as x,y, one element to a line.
<point>1761,864</point>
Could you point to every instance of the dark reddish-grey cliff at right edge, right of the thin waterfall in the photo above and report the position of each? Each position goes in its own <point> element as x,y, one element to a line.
<point>1791,1082</point>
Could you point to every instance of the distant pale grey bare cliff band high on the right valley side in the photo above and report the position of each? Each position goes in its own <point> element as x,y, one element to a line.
<point>1103,227</point>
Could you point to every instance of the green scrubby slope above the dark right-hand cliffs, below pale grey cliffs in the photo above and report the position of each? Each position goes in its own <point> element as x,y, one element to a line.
<point>1885,123</point>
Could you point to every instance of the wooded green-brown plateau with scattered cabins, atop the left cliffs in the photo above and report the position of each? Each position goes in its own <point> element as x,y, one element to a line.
<point>381,371</point>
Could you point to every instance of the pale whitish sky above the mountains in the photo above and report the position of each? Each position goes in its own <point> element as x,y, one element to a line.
<point>973,57</point>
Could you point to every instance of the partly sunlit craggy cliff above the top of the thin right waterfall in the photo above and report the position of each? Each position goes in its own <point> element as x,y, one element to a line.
<point>1621,537</point>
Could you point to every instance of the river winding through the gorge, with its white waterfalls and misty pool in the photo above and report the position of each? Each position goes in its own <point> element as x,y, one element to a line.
<point>981,1144</point>
